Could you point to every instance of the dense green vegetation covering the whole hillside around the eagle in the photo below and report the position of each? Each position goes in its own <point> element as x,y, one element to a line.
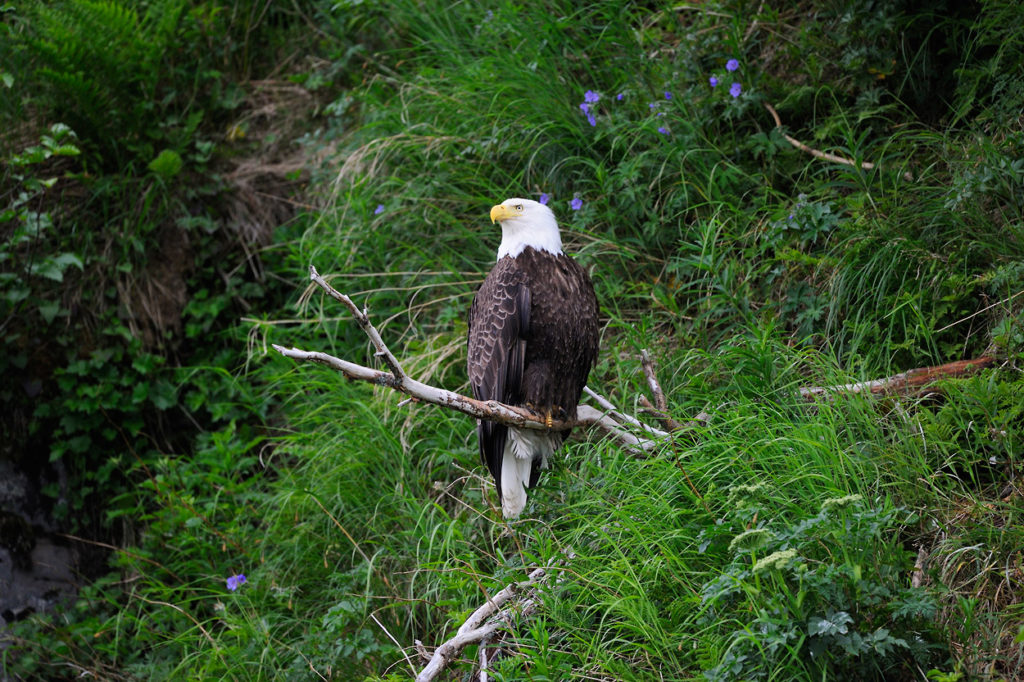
<point>174,167</point>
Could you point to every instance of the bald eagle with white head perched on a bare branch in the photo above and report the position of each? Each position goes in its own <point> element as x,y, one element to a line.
<point>533,340</point>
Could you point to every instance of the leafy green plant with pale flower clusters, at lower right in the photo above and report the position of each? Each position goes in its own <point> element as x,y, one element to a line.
<point>826,595</point>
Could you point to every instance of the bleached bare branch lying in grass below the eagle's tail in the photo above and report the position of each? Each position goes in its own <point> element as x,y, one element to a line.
<point>485,622</point>
